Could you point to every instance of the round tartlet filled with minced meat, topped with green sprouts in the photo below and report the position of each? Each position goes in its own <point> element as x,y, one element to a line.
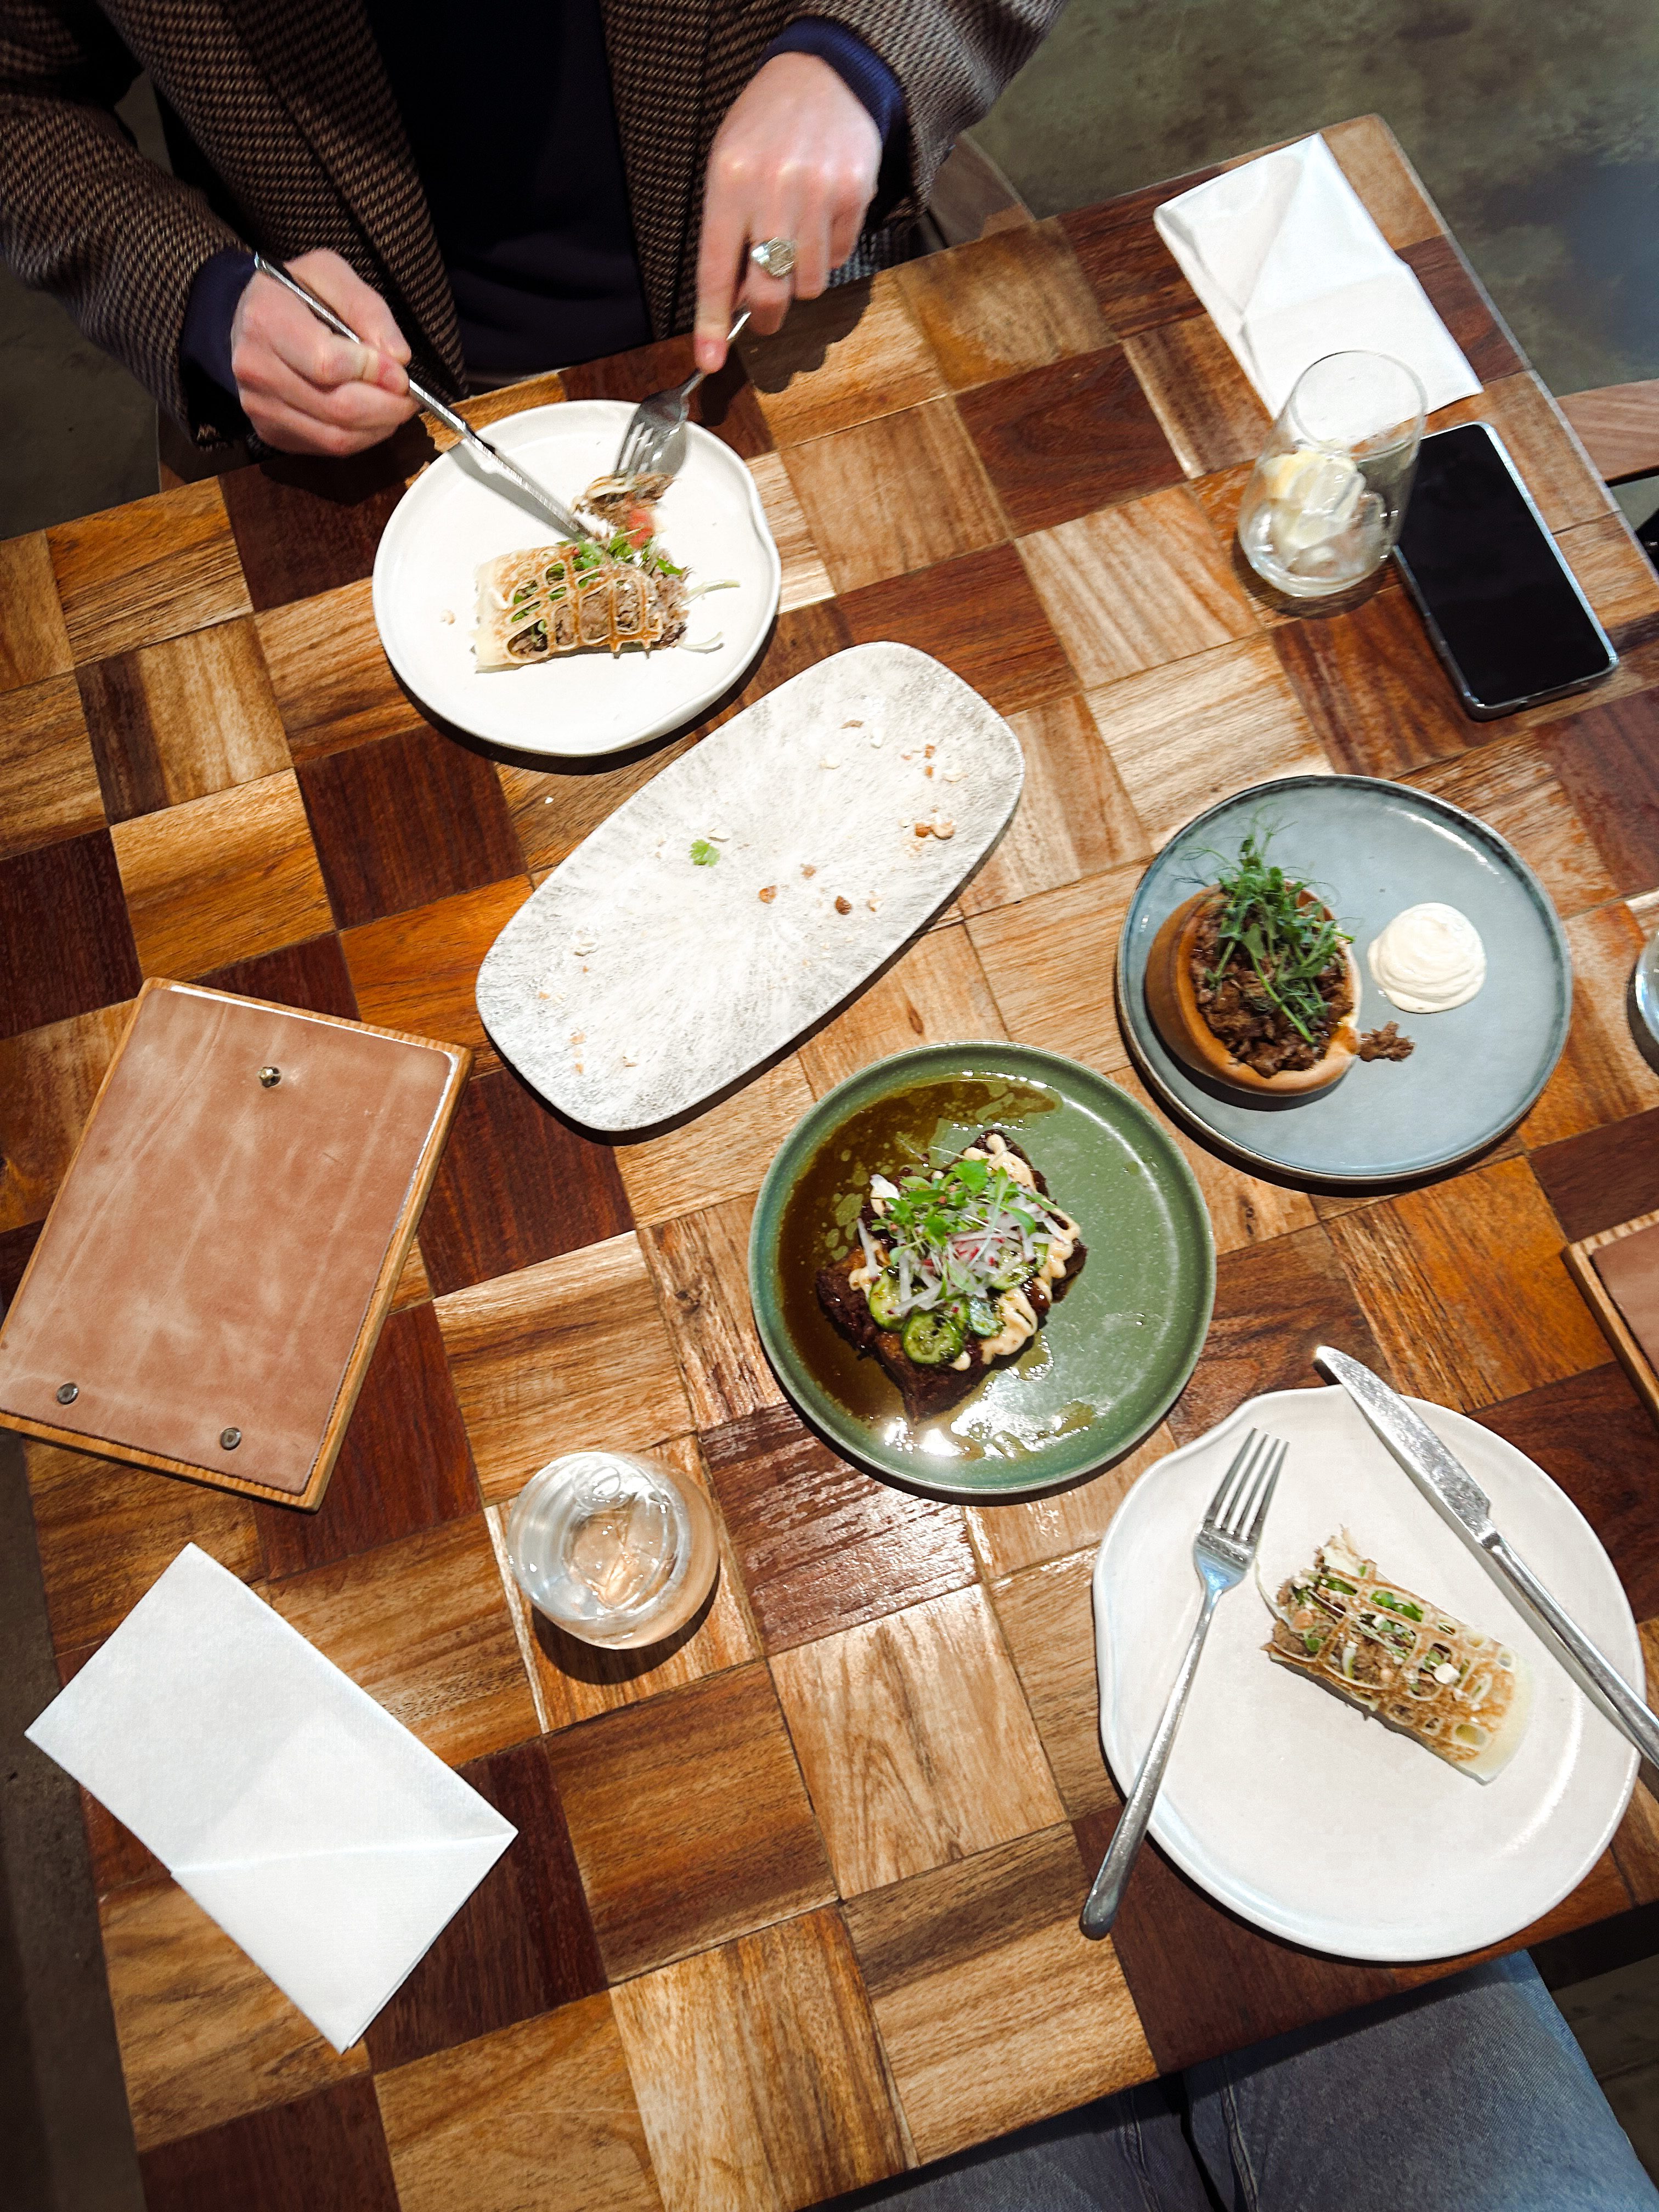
<point>1255,985</point>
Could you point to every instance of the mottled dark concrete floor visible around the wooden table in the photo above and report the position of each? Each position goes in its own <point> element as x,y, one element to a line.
<point>1534,125</point>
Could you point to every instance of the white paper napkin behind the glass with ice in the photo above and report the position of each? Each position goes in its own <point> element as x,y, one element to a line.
<point>1291,269</point>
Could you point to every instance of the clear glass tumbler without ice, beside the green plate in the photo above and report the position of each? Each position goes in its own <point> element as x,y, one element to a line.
<point>614,1547</point>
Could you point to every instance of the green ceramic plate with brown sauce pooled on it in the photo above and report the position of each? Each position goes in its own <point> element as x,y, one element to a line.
<point>1118,1346</point>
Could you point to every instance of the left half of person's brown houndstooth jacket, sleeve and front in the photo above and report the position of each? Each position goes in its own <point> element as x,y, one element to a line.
<point>291,109</point>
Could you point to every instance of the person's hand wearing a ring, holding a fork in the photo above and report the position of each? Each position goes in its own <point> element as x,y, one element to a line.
<point>797,158</point>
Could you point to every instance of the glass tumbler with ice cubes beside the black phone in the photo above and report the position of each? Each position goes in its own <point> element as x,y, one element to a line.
<point>1328,497</point>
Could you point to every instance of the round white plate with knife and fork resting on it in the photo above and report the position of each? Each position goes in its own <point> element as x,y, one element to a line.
<point>1302,1813</point>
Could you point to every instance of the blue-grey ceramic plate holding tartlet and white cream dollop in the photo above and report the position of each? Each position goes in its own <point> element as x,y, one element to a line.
<point>1373,848</point>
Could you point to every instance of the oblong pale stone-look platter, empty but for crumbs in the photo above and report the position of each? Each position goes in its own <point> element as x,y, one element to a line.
<point>700,930</point>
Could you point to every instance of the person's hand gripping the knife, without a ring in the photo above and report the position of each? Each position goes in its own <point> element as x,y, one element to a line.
<point>302,388</point>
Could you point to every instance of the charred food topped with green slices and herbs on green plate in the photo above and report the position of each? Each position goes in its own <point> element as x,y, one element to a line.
<point>957,1271</point>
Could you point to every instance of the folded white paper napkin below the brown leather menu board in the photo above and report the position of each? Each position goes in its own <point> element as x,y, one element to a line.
<point>322,1837</point>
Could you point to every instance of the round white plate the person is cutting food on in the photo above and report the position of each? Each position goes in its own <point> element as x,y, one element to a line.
<point>459,514</point>
